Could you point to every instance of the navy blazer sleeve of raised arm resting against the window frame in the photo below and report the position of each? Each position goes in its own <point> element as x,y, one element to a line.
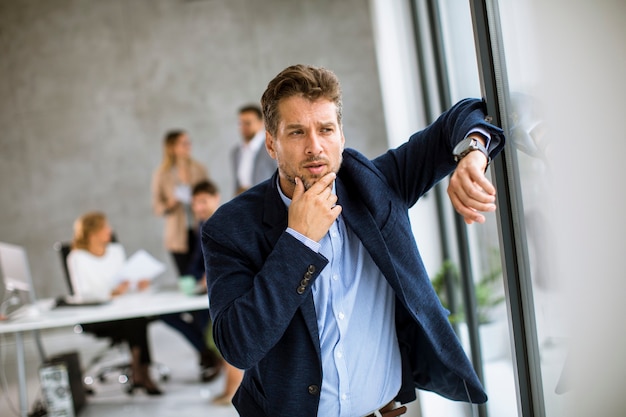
<point>426,158</point>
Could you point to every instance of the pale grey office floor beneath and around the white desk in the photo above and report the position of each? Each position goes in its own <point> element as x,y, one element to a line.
<point>184,395</point>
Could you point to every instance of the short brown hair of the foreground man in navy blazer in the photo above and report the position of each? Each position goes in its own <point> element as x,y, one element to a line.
<point>299,80</point>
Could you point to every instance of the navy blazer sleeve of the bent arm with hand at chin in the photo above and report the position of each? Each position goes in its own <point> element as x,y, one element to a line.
<point>254,293</point>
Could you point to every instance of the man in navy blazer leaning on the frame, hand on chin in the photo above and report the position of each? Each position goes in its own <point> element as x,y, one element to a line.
<point>328,239</point>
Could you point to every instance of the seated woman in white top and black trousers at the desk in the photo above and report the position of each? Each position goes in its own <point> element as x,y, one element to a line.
<point>93,264</point>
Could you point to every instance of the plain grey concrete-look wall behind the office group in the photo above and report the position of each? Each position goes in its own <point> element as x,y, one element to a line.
<point>88,88</point>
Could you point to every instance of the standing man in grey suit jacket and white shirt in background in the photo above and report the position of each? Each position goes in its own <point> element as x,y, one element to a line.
<point>250,161</point>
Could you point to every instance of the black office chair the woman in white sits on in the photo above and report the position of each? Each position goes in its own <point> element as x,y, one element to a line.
<point>101,371</point>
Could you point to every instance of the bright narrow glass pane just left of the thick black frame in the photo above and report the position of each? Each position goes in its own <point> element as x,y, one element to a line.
<point>483,241</point>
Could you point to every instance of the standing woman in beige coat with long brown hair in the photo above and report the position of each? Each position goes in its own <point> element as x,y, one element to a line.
<point>171,196</point>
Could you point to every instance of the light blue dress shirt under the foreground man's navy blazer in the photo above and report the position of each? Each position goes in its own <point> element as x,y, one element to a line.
<point>355,308</point>
